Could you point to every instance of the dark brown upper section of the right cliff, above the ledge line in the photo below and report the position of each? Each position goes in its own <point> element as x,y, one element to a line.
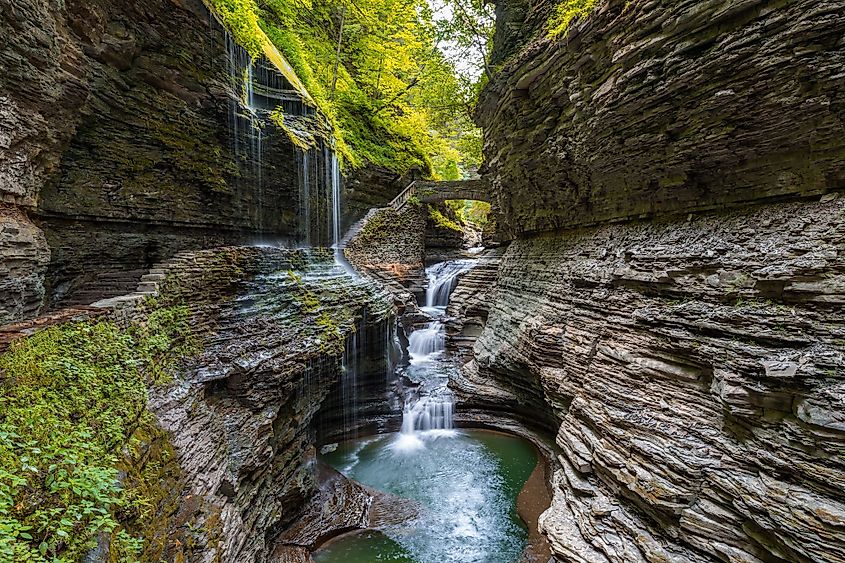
<point>645,108</point>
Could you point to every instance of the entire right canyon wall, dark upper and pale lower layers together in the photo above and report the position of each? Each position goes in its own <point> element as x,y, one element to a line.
<point>691,364</point>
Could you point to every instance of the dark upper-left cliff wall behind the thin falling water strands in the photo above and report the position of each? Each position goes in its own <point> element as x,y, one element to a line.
<point>132,130</point>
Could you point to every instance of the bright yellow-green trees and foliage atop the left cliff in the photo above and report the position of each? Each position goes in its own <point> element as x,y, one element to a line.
<point>375,69</point>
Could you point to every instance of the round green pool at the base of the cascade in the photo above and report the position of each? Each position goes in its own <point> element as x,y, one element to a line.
<point>465,483</point>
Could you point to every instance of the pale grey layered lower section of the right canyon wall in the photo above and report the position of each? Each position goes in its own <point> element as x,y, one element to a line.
<point>693,370</point>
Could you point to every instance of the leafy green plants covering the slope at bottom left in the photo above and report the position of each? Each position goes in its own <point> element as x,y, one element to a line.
<point>70,398</point>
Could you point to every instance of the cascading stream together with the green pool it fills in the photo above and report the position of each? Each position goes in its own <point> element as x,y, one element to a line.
<point>464,482</point>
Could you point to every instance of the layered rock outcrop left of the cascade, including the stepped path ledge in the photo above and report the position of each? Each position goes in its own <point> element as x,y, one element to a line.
<point>238,422</point>
